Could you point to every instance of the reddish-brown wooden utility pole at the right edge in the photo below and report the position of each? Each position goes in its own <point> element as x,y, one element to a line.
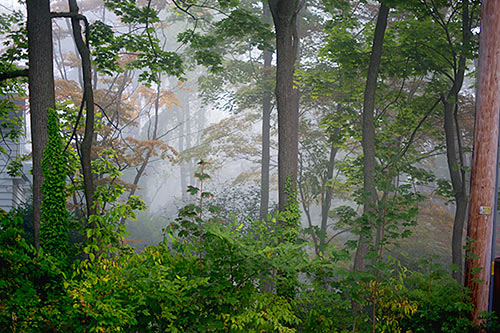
<point>484,160</point>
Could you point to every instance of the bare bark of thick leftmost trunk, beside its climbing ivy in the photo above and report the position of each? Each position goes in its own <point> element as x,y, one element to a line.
<point>41,91</point>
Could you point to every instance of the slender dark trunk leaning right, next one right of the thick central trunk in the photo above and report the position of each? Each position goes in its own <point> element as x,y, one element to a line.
<point>368,140</point>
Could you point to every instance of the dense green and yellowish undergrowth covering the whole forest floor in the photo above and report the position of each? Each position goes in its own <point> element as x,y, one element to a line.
<point>210,275</point>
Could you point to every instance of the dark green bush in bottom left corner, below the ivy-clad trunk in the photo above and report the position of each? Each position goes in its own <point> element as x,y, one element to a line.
<point>31,295</point>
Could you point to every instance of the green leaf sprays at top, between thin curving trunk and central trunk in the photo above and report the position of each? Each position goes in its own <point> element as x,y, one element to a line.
<point>206,49</point>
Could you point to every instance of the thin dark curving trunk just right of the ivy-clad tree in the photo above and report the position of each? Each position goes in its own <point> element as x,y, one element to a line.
<point>88,95</point>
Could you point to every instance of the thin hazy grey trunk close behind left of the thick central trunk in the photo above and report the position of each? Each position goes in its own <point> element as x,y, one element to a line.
<point>266,129</point>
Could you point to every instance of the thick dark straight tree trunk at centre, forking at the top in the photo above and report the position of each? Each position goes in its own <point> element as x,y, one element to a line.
<point>284,14</point>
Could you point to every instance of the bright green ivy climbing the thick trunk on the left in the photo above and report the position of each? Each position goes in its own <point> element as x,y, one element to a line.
<point>54,216</point>
